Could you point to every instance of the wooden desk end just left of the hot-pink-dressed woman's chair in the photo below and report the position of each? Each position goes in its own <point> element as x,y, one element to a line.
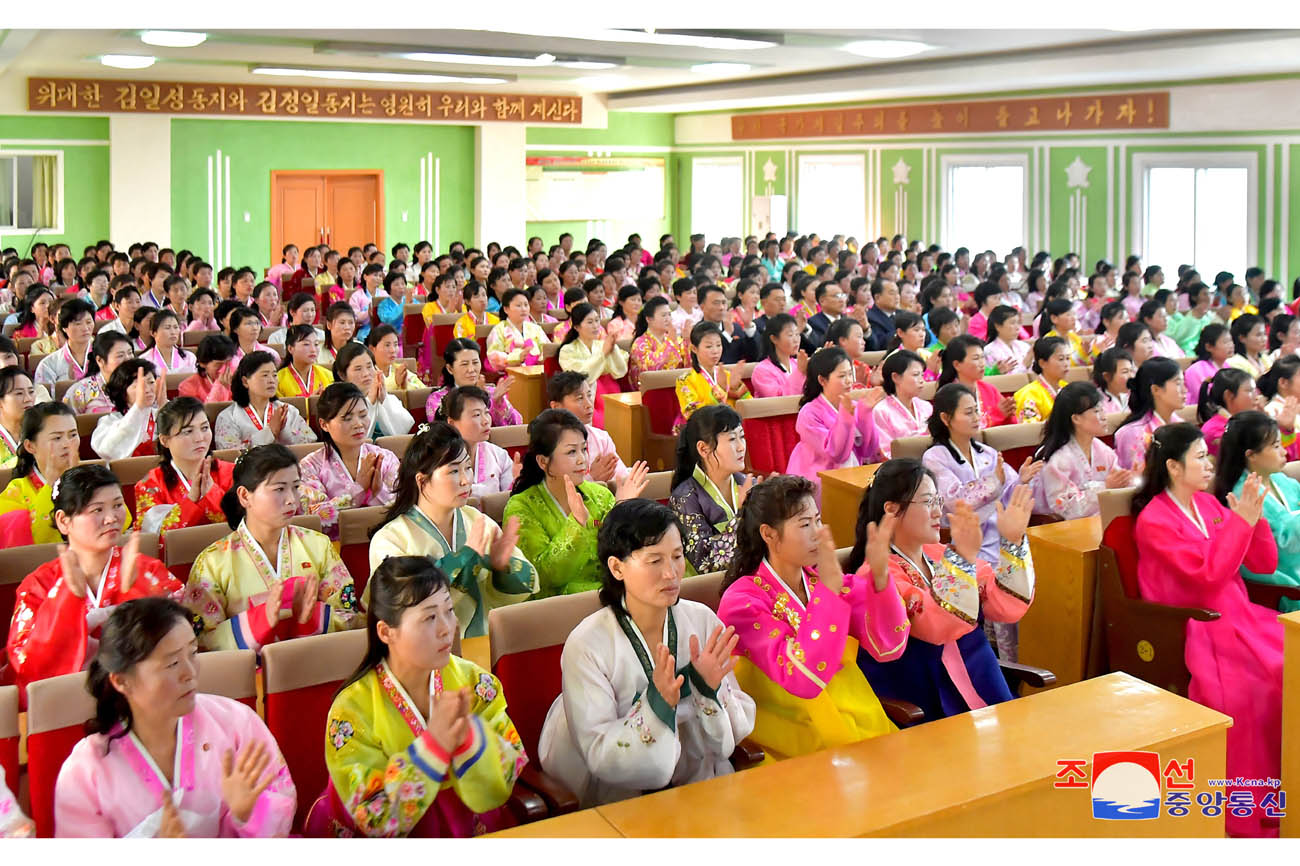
<point>1058,631</point>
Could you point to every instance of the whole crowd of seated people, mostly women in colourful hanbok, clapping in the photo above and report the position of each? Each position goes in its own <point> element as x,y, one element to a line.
<point>657,690</point>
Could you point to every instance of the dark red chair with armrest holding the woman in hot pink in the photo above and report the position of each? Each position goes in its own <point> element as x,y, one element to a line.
<point>1143,639</point>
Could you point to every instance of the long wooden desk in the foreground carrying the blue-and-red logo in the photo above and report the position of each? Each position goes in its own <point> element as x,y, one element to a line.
<point>982,774</point>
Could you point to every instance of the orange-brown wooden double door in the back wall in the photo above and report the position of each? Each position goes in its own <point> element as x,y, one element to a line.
<point>341,209</point>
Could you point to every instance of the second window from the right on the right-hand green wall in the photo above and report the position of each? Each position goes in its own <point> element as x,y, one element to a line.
<point>985,202</point>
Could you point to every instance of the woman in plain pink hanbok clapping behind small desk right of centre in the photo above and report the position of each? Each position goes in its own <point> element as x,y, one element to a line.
<point>835,430</point>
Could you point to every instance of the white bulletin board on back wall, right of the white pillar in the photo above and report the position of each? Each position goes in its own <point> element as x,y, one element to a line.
<point>595,188</point>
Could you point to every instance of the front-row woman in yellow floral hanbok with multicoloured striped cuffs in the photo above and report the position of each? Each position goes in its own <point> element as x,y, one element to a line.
<point>418,741</point>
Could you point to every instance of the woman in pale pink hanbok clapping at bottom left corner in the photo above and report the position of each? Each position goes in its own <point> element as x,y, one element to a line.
<point>167,761</point>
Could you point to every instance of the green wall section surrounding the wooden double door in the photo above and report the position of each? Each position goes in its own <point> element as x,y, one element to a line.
<point>258,148</point>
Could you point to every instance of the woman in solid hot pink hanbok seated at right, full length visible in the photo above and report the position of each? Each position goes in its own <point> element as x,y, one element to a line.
<point>1190,555</point>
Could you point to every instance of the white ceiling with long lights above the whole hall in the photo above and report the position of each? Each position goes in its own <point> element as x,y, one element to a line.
<point>804,67</point>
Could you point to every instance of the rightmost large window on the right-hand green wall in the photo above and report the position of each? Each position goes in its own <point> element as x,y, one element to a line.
<point>1198,215</point>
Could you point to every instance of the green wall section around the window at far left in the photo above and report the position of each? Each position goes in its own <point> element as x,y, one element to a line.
<point>85,176</point>
